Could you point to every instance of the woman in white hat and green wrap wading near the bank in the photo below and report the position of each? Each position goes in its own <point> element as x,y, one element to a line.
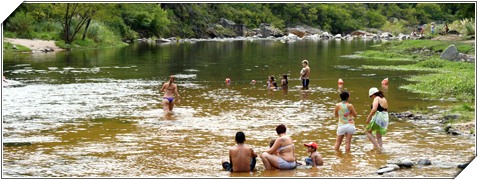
<point>377,120</point>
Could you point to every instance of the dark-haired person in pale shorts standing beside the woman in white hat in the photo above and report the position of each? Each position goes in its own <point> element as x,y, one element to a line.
<point>344,112</point>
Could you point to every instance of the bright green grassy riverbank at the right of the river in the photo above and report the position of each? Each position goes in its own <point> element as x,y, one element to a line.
<point>444,80</point>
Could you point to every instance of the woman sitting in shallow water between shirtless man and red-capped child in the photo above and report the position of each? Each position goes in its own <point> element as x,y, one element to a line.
<point>285,149</point>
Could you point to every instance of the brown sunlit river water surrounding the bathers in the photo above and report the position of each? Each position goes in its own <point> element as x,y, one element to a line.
<point>98,113</point>
